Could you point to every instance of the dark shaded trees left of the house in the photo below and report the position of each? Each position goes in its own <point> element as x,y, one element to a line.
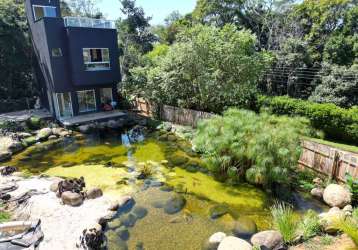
<point>15,52</point>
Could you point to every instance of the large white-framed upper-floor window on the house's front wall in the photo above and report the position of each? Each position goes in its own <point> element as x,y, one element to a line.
<point>96,59</point>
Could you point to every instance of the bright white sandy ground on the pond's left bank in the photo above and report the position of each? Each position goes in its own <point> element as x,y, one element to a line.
<point>62,225</point>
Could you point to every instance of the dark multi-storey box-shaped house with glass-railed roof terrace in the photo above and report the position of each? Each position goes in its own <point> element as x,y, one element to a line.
<point>77,60</point>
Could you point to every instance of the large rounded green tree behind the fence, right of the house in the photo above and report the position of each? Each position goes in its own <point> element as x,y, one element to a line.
<point>208,69</point>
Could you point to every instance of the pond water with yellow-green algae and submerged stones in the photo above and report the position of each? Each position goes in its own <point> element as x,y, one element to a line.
<point>177,207</point>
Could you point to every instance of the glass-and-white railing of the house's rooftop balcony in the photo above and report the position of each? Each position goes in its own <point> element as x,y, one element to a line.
<point>85,22</point>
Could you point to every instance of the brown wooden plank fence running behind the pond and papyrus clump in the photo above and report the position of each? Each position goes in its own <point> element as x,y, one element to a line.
<point>321,158</point>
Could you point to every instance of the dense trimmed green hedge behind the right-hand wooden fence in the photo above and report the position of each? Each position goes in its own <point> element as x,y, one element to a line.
<point>337,123</point>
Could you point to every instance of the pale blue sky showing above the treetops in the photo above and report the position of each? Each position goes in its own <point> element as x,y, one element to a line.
<point>157,9</point>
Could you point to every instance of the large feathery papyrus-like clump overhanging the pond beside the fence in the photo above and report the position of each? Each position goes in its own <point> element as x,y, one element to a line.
<point>261,147</point>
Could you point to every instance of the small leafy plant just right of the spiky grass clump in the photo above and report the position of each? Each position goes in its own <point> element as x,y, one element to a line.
<point>309,225</point>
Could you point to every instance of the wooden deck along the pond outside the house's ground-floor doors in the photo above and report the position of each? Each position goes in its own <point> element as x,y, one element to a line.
<point>88,118</point>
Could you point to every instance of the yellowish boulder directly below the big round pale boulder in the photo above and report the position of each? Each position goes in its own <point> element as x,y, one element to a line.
<point>330,220</point>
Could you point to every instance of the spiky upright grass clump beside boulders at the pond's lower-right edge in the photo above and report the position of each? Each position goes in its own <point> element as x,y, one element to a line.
<point>284,221</point>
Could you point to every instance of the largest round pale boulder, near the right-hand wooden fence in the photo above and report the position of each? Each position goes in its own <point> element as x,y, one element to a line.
<point>337,196</point>
